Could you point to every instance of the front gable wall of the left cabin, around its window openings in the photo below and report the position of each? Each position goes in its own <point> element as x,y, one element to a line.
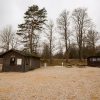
<point>15,67</point>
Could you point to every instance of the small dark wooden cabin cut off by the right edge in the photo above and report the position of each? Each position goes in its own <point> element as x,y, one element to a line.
<point>93,61</point>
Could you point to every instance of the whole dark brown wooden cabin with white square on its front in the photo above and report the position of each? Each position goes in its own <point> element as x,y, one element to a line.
<point>14,60</point>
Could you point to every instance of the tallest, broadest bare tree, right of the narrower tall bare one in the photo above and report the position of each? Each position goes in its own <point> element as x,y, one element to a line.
<point>81,25</point>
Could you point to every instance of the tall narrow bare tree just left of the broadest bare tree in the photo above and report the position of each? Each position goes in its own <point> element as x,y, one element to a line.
<point>63,25</point>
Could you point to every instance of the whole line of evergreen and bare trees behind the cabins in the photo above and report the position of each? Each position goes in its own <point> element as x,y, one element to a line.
<point>73,36</point>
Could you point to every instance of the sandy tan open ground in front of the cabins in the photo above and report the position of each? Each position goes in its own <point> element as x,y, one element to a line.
<point>53,83</point>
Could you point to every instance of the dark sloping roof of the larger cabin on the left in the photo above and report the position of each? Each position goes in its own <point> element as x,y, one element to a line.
<point>21,53</point>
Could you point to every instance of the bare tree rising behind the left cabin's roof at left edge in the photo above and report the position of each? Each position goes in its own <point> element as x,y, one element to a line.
<point>7,38</point>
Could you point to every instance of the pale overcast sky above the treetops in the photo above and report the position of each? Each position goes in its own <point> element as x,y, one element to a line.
<point>12,11</point>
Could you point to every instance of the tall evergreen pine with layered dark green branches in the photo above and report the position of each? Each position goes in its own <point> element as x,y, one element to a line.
<point>34,20</point>
